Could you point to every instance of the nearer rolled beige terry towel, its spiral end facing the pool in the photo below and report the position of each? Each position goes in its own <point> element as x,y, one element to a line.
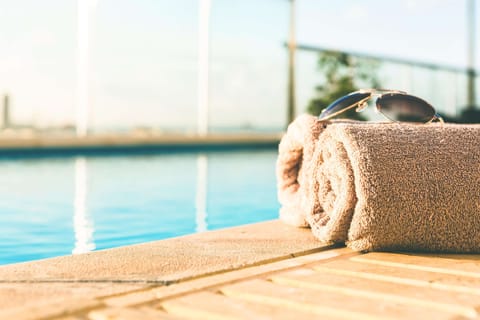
<point>394,186</point>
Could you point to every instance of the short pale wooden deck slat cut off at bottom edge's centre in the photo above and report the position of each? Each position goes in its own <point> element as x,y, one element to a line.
<point>207,305</point>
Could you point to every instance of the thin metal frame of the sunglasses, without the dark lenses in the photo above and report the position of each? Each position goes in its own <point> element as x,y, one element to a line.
<point>378,93</point>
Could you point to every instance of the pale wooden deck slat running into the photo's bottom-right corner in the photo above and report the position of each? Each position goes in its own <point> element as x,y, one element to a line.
<point>451,302</point>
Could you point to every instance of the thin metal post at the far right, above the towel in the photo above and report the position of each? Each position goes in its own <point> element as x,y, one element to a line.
<point>471,53</point>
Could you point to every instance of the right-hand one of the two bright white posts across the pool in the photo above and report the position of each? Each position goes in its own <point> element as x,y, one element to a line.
<point>203,65</point>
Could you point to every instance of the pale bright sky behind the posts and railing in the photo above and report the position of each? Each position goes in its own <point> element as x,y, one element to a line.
<point>143,55</point>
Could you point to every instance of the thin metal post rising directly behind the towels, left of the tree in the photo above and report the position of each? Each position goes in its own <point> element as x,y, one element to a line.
<point>291,65</point>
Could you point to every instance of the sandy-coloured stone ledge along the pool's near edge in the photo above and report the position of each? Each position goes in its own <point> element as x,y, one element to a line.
<point>156,263</point>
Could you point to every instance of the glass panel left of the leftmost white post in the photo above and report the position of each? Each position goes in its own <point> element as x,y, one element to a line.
<point>37,63</point>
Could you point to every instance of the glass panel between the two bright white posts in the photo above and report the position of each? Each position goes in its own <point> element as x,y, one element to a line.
<point>145,65</point>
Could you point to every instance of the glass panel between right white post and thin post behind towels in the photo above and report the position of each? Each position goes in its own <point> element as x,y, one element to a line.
<point>248,65</point>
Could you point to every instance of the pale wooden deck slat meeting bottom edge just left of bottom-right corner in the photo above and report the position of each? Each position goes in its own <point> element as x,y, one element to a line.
<point>323,303</point>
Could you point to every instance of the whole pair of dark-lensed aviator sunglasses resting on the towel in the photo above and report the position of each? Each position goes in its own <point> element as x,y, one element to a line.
<point>395,105</point>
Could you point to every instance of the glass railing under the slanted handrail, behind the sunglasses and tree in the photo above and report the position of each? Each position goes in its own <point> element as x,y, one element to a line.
<point>445,87</point>
